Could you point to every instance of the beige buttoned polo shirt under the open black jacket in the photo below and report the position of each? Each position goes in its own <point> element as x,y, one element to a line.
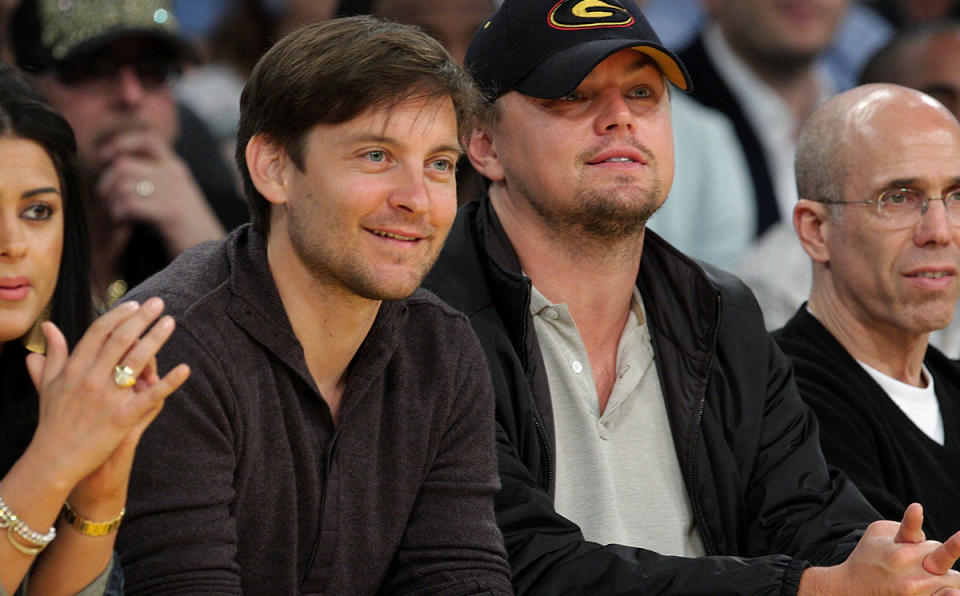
<point>618,475</point>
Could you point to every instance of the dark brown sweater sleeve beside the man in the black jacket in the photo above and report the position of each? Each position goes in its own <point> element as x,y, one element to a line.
<point>451,544</point>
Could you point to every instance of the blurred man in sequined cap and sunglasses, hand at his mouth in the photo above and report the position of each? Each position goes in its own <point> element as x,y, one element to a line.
<point>159,183</point>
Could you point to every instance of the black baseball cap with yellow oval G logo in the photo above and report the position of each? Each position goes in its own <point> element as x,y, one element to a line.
<point>545,48</point>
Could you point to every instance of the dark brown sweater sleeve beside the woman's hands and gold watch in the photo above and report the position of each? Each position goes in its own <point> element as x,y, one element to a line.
<point>179,536</point>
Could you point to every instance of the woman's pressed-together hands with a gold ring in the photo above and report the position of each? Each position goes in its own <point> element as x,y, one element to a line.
<point>96,402</point>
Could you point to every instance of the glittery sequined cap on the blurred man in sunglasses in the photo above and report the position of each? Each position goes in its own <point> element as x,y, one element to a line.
<point>45,33</point>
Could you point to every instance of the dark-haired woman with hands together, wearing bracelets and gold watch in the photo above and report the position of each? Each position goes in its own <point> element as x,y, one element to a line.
<point>74,408</point>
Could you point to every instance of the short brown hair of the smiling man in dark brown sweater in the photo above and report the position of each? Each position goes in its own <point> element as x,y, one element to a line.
<point>333,71</point>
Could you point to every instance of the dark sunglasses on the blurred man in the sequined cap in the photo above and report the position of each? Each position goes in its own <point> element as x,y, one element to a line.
<point>153,69</point>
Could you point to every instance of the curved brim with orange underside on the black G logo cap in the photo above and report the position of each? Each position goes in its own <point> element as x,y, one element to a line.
<point>561,73</point>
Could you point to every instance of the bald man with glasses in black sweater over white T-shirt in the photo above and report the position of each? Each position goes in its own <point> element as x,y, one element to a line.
<point>878,170</point>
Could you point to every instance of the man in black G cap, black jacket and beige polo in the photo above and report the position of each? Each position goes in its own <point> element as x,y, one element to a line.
<point>651,438</point>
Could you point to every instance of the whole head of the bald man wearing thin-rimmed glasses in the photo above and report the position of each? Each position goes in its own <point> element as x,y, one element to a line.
<point>890,275</point>
